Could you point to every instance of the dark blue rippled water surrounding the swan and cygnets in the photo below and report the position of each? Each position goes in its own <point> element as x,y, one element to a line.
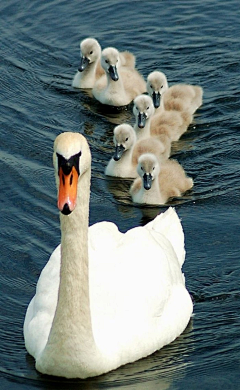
<point>191,41</point>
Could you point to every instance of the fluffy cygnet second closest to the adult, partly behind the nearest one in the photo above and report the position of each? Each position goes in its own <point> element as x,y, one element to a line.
<point>128,149</point>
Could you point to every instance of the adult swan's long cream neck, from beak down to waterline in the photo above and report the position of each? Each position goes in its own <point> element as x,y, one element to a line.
<point>71,328</point>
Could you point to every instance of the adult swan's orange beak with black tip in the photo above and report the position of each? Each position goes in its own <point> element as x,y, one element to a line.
<point>67,194</point>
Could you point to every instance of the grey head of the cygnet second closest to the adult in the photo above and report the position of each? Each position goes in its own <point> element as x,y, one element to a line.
<point>124,137</point>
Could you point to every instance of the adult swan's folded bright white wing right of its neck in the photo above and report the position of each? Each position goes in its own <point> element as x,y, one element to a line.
<point>132,287</point>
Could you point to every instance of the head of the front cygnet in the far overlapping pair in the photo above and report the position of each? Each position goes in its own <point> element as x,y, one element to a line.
<point>110,61</point>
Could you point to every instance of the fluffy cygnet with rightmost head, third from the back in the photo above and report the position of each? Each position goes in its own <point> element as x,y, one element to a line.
<point>179,97</point>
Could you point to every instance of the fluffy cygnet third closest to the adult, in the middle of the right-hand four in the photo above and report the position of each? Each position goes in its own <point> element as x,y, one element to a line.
<point>164,125</point>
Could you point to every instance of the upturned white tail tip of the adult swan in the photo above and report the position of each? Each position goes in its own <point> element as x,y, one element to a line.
<point>169,224</point>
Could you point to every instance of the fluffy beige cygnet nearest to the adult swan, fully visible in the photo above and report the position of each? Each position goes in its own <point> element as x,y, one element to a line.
<point>158,181</point>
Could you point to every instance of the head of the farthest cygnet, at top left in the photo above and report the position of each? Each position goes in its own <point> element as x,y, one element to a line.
<point>90,52</point>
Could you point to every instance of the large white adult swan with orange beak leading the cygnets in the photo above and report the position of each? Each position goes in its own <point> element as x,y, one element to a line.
<point>104,298</point>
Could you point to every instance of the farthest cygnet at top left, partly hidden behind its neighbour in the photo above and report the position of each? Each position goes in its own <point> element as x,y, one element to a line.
<point>90,68</point>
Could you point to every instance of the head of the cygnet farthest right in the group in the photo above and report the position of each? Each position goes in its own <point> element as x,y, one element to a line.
<point>156,85</point>
